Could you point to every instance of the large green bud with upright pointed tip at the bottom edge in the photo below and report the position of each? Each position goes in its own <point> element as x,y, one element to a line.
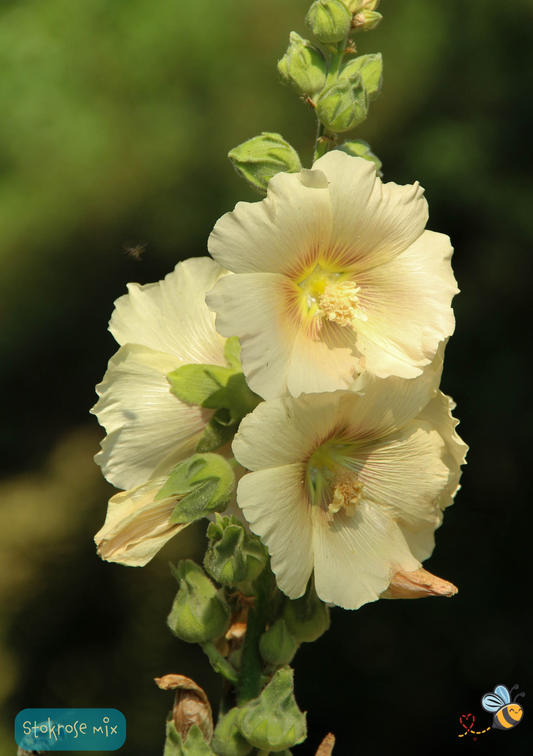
<point>273,721</point>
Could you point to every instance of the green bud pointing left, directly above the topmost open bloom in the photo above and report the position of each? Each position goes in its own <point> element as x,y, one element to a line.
<point>260,158</point>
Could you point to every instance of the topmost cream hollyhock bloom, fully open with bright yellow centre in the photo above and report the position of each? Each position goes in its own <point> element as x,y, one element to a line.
<point>336,274</point>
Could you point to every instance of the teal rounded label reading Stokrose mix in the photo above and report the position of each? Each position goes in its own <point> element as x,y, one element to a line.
<point>70,729</point>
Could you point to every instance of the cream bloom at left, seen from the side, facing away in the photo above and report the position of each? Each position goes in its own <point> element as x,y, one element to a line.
<point>159,327</point>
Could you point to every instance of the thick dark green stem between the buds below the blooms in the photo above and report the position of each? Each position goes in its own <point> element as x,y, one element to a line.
<point>250,680</point>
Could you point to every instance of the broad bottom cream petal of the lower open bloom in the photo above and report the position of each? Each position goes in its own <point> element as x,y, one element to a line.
<point>354,556</point>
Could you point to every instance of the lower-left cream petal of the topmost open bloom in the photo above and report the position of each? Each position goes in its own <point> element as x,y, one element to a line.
<point>256,309</point>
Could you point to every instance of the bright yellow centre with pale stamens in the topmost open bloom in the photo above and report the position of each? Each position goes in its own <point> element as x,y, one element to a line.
<point>332,296</point>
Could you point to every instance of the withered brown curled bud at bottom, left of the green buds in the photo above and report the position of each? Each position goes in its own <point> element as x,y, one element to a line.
<point>191,706</point>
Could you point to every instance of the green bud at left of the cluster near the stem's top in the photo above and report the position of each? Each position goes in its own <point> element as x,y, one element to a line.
<point>303,67</point>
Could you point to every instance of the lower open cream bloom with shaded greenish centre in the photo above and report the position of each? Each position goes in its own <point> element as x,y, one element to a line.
<point>348,485</point>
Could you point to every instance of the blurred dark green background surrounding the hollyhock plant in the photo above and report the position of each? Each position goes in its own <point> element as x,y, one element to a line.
<point>115,120</point>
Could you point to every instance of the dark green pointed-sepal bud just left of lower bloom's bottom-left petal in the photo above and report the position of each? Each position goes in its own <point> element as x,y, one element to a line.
<point>233,555</point>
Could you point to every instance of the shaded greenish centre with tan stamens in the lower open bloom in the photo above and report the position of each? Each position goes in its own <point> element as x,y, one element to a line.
<point>332,483</point>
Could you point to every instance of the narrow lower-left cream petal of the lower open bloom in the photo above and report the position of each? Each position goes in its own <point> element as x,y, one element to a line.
<point>273,503</point>
